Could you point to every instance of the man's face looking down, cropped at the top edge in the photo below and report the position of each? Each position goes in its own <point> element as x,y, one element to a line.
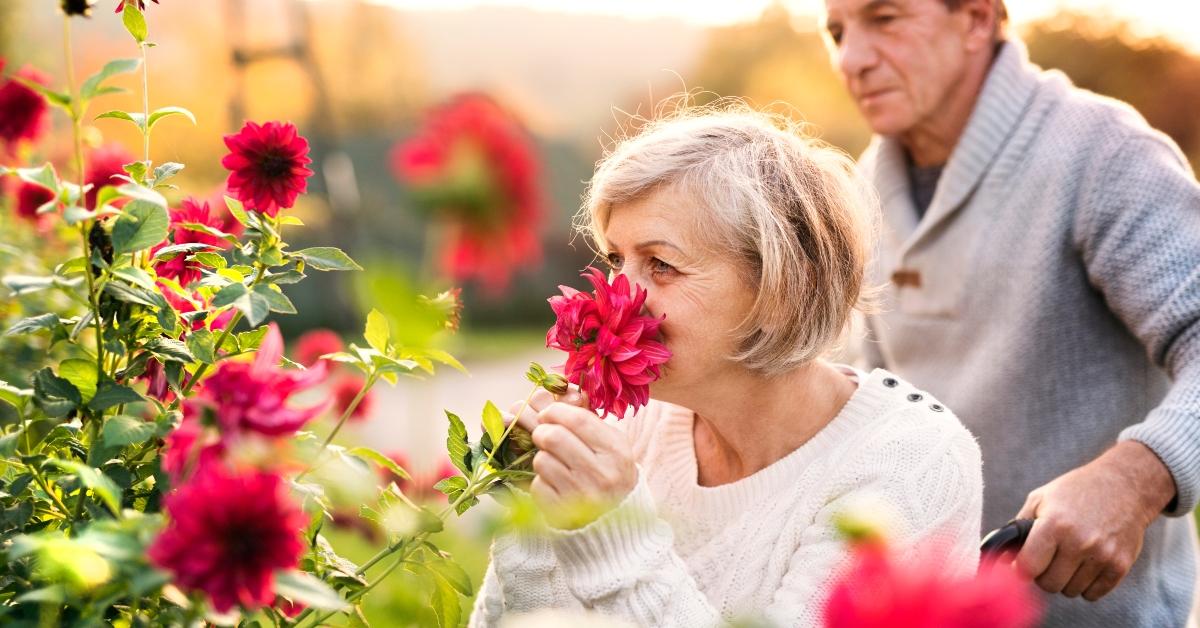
<point>901,59</point>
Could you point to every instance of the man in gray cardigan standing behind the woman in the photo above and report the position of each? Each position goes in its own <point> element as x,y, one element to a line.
<point>1042,252</point>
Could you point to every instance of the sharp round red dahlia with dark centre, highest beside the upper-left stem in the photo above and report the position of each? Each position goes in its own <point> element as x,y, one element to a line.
<point>267,166</point>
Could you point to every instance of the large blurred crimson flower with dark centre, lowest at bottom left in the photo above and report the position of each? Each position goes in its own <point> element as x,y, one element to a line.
<point>229,535</point>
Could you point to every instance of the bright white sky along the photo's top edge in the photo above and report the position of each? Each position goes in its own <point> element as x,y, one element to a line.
<point>1179,20</point>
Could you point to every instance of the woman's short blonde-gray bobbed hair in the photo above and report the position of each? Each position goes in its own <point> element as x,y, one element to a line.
<point>794,210</point>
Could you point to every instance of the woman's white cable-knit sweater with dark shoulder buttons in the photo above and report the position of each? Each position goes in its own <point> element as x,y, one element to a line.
<point>763,548</point>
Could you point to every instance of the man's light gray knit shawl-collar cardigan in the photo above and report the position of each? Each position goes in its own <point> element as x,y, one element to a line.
<point>1052,298</point>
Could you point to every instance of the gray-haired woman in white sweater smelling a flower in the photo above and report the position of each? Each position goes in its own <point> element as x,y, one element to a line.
<point>727,491</point>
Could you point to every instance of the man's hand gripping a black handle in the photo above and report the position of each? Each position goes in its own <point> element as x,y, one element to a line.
<point>1090,523</point>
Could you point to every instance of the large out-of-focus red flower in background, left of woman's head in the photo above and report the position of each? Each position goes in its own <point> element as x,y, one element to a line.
<point>473,168</point>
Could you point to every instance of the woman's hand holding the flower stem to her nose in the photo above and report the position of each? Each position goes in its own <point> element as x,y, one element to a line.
<point>584,465</point>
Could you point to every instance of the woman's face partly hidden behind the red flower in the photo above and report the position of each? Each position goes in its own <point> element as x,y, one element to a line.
<point>656,242</point>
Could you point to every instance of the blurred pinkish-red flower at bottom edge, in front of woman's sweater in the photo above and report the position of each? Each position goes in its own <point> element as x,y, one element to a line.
<point>878,593</point>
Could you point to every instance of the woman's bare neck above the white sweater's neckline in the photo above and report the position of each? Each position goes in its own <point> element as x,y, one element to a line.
<point>741,434</point>
